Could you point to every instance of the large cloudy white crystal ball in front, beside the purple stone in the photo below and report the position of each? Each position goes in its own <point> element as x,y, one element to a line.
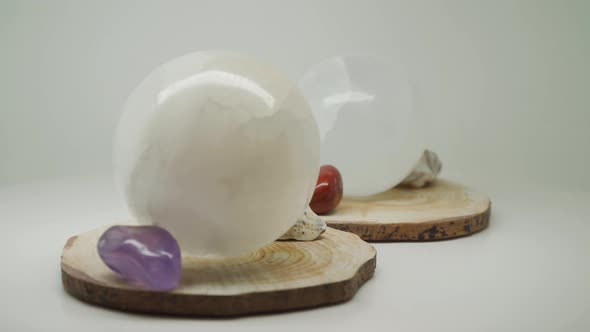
<point>220,149</point>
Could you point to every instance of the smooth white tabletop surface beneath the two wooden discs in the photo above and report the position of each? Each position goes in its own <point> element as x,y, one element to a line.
<point>529,271</point>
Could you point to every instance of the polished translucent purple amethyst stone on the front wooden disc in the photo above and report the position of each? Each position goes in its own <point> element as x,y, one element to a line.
<point>145,255</point>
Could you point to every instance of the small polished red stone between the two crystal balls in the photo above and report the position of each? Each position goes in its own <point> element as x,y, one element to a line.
<point>328,190</point>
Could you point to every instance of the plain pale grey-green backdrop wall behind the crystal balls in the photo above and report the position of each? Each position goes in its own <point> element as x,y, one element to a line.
<point>506,82</point>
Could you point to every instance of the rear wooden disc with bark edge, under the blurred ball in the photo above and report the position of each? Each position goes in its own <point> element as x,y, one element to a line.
<point>441,211</point>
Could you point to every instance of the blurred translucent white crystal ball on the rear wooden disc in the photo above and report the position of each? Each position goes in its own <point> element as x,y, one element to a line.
<point>370,127</point>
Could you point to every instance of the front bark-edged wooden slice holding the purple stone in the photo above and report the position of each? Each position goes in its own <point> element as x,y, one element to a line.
<point>284,275</point>
